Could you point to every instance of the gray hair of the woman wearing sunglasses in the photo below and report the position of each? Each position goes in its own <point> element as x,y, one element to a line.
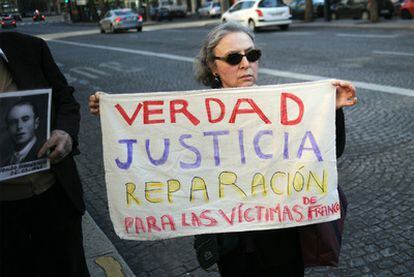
<point>205,59</point>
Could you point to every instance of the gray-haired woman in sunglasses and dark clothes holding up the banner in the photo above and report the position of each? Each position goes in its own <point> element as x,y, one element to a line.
<point>229,58</point>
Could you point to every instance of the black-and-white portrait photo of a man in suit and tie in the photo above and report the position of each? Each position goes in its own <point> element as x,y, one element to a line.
<point>24,128</point>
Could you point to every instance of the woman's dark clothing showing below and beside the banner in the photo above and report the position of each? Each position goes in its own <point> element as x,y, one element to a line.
<point>272,247</point>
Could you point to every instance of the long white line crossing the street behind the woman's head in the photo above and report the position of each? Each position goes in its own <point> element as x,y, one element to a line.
<point>268,71</point>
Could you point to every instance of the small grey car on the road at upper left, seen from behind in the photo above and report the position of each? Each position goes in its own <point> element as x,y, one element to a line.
<point>120,19</point>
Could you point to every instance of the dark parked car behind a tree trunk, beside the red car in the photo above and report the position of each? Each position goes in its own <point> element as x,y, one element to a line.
<point>359,9</point>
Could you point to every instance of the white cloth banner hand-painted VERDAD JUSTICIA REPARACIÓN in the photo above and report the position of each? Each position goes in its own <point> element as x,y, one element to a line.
<point>213,161</point>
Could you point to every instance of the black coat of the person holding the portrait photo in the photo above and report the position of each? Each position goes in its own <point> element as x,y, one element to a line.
<point>31,66</point>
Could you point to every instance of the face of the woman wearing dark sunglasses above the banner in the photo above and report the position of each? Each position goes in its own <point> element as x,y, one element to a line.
<point>243,74</point>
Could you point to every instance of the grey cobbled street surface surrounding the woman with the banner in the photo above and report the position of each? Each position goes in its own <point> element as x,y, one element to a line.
<point>376,172</point>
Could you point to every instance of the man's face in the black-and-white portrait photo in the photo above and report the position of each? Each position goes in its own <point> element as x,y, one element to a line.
<point>22,124</point>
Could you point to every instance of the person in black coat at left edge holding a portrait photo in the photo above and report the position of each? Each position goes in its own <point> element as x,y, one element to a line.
<point>40,213</point>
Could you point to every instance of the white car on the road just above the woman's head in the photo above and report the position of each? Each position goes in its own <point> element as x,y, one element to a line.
<point>261,13</point>
